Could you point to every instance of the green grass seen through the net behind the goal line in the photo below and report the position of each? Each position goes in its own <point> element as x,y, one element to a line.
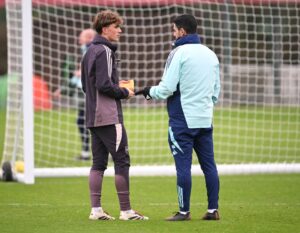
<point>241,135</point>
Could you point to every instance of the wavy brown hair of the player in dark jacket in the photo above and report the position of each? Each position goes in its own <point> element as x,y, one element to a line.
<point>106,18</point>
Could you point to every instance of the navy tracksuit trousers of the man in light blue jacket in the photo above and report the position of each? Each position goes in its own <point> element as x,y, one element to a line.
<point>182,141</point>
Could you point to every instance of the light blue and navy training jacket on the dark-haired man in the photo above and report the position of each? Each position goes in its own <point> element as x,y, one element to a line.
<point>191,85</point>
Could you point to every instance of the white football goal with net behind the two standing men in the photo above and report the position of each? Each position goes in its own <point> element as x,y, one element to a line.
<point>256,122</point>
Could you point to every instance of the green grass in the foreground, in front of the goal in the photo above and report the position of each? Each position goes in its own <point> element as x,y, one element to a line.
<point>248,204</point>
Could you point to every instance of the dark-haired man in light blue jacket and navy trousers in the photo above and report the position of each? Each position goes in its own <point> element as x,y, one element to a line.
<point>191,85</point>
